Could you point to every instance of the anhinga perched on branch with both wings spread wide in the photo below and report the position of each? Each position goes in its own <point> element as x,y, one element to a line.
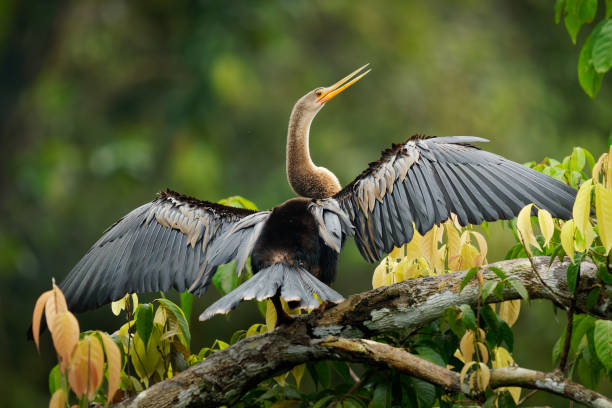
<point>178,241</point>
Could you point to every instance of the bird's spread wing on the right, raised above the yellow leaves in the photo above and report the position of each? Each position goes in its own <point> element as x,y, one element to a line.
<point>424,180</point>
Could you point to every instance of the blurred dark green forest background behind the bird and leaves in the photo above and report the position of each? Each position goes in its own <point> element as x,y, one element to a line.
<point>104,103</point>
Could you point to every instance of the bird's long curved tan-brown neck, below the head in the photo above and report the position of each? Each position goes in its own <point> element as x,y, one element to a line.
<point>305,178</point>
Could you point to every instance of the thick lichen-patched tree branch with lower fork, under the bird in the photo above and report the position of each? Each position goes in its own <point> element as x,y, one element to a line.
<point>226,375</point>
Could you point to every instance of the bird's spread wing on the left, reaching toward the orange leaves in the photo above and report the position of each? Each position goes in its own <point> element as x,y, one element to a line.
<point>174,241</point>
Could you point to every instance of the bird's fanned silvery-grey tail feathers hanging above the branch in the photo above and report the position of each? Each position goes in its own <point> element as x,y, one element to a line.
<point>295,283</point>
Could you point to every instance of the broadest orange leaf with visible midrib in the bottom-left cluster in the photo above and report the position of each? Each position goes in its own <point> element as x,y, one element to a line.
<point>87,367</point>
